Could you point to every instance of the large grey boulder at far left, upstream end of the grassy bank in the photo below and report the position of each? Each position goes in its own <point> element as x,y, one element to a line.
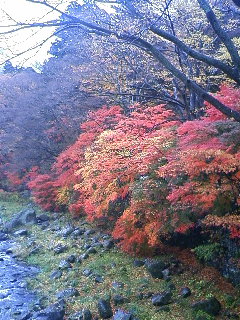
<point>26,216</point>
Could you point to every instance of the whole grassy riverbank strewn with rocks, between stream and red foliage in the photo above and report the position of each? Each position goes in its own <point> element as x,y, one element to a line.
<point>82,266</point>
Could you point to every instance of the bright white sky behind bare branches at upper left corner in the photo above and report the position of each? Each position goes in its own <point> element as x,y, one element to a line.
<point>12,11</point>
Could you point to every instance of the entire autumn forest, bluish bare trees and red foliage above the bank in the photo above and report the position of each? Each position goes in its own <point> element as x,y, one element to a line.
<point>133,121</point>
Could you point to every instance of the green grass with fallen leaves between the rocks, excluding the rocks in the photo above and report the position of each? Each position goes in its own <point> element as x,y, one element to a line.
<point>203,281</point>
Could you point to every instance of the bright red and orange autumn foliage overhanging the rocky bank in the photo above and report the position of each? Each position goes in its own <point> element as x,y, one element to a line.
<point>149,174</point>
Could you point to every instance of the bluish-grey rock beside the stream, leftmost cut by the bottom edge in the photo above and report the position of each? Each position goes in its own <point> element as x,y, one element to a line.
<point>53,312</point>
